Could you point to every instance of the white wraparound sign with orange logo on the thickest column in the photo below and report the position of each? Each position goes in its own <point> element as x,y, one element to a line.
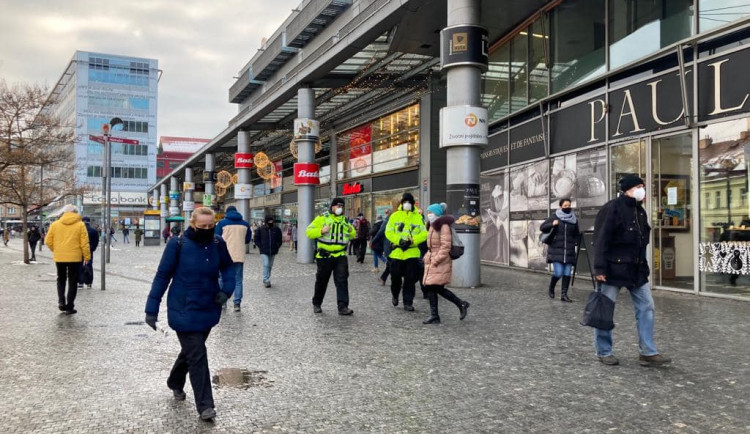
<point>463,125</point>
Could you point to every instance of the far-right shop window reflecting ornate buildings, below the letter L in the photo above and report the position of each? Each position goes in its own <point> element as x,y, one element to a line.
<point>724,250</point>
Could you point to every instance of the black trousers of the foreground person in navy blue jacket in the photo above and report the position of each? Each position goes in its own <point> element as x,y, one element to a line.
<point>193,360</point>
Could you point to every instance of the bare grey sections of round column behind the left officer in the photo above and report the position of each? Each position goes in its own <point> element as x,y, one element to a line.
<point>305,193</point>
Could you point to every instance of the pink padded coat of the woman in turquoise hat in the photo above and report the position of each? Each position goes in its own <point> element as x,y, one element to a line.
<point>438,265</point>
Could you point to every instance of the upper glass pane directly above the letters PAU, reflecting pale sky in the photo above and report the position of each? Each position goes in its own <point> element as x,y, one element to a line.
<point>640,27</point>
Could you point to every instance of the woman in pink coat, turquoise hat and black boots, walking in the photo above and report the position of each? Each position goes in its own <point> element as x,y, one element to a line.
<point>438,265</point>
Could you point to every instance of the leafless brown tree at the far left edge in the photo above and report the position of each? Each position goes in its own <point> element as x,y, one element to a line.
<point>33,141</point>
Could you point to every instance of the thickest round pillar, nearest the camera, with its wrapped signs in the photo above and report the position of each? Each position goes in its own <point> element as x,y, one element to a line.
<point>464,90</point>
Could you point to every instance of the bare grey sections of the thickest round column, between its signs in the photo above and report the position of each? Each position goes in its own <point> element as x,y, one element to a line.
<point>464,89</point>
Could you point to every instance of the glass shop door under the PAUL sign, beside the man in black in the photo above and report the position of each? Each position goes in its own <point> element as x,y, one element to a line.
<point>671,212</point>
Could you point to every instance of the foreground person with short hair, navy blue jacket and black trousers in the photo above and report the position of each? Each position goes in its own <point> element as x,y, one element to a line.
<point>192,264</point>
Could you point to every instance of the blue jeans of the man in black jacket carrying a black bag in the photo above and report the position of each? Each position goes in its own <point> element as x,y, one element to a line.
<point>643,304</point>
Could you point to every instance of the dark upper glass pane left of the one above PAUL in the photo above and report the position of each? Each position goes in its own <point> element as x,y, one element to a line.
<point>577,42</point>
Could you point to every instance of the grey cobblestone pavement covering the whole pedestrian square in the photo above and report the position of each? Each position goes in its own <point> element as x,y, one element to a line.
<point>518,363</point>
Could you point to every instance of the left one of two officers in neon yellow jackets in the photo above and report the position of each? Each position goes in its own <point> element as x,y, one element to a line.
<point>333,233</point>
